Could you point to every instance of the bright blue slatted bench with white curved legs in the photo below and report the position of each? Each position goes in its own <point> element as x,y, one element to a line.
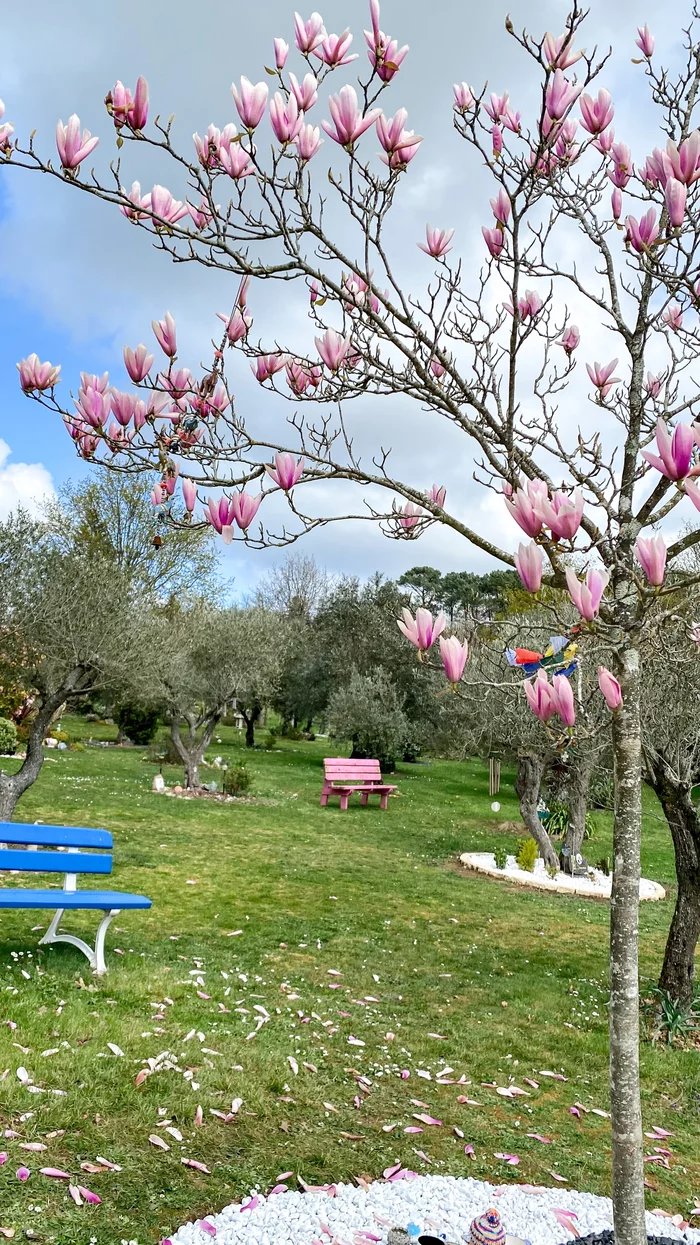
<point>60,840</point>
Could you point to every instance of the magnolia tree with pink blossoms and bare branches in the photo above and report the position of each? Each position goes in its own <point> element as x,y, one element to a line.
<point>494,354</point>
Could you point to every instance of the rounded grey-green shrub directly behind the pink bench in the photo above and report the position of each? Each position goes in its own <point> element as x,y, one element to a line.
<point>368,713</point>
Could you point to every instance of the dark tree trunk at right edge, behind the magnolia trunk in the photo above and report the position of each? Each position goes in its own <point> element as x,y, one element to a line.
<point>676,796</point>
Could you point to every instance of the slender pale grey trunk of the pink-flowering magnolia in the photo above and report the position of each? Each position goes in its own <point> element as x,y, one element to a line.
<point>626,1105</point>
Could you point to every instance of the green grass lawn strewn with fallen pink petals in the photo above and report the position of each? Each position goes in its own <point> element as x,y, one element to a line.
<point>359,939</point>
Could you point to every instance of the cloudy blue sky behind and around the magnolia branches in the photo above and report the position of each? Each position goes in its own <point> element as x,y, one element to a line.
<point>77,282</point>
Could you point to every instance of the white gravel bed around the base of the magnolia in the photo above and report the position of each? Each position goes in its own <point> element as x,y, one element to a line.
<point>435,1203</point>
